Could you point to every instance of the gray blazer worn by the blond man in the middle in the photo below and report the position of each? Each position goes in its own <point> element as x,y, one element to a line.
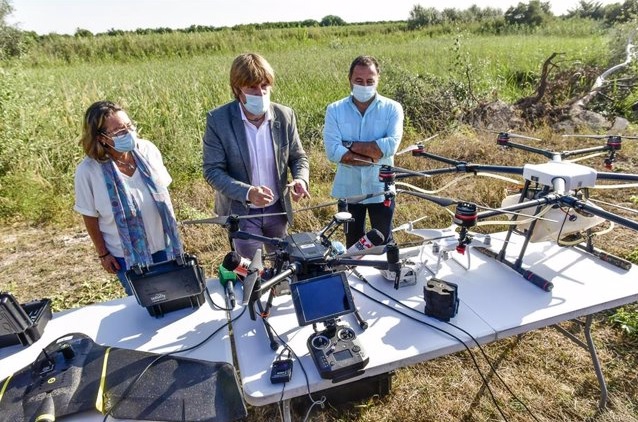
<point>227,161</point>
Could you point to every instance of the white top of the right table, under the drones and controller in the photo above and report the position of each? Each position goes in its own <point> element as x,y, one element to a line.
<point>495,302</point>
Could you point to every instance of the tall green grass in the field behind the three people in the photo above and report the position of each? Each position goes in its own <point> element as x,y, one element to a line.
<point>168,96</point>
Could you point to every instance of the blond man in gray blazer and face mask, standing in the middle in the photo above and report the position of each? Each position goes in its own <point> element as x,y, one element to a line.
<point>249,145</point>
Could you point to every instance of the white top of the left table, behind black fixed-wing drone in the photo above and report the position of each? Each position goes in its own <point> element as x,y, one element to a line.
<point>123,323</point>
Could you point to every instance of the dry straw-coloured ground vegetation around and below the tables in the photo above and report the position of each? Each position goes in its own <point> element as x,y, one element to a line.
<point>551,375</point>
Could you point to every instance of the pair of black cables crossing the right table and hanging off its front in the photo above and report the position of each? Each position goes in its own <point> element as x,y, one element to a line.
<point>456,338</point>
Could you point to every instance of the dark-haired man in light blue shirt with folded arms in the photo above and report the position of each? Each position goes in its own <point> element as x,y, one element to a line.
<point>361,132</point>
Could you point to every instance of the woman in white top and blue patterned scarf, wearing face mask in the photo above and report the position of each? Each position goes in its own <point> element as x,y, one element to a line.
<point>121,190</point>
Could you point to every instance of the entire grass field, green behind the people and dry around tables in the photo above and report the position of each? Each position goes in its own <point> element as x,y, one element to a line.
<point>44,250</point>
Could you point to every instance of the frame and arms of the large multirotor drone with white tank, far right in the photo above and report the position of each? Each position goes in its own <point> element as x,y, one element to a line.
<point>534,195</point>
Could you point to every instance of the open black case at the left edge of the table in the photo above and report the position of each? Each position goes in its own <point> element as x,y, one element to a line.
<point>37,314</point>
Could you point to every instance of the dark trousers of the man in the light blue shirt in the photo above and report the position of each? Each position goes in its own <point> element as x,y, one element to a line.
<point>380,219</point>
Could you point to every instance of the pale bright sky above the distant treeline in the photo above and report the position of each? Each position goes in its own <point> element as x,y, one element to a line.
<point>65,16</point>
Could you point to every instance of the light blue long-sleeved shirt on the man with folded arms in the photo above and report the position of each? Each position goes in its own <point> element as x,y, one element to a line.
<point>382,122</point>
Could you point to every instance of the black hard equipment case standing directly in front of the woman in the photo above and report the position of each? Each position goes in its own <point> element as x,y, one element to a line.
<point>169,286</point>
